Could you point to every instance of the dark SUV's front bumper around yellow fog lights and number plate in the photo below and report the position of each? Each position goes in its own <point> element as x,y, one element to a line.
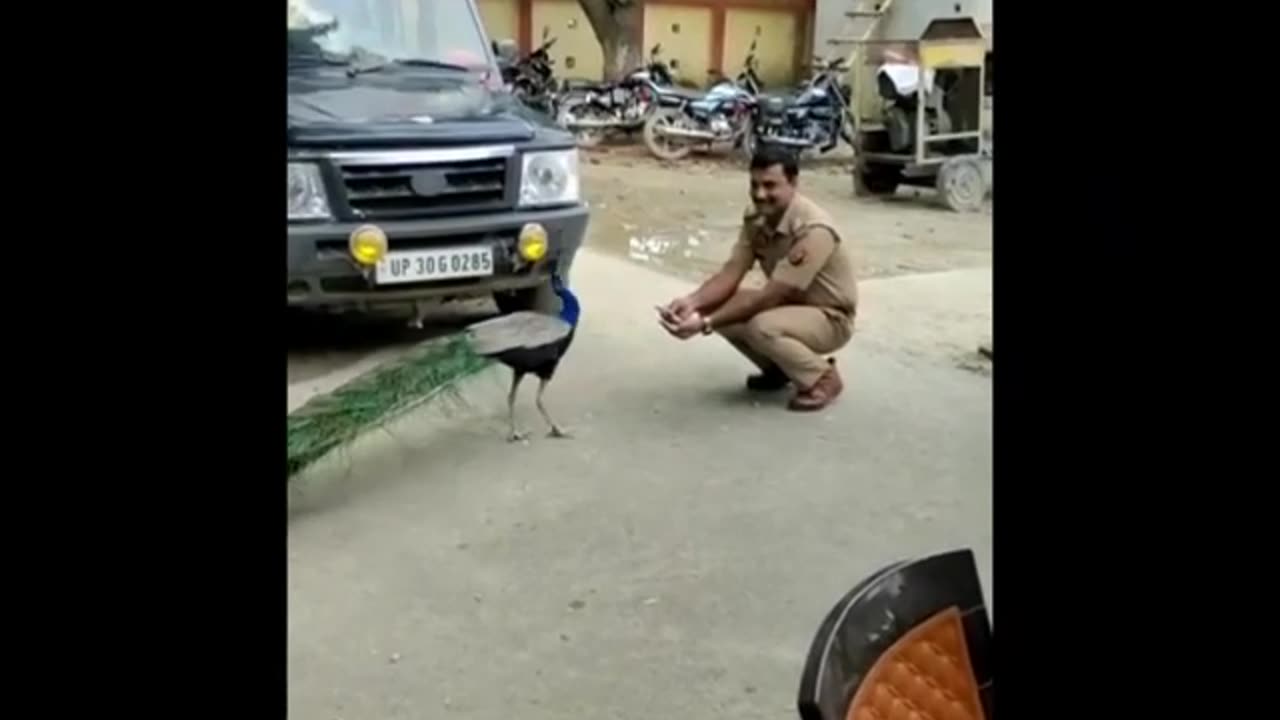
<point>323,275</point>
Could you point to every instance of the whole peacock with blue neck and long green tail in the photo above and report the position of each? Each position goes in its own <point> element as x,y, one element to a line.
<point>525,341</point>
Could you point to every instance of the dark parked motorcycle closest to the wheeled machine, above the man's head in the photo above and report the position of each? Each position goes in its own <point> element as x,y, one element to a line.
<point>816,119</point>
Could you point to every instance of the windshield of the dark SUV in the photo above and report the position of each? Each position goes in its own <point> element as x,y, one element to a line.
<point>444,31</point>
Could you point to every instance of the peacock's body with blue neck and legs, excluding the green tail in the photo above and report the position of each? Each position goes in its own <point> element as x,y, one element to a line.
<point>529,343</point>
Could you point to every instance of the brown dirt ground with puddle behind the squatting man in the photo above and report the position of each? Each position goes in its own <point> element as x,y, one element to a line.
<point>683,217</point>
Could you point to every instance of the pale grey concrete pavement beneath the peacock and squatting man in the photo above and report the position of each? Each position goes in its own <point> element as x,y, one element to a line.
<point>674,559</point>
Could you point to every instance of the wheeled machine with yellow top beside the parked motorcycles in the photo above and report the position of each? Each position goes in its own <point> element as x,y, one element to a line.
<point>921,117</point>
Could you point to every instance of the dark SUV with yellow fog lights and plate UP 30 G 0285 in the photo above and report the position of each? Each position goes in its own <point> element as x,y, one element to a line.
<point>414,176</point>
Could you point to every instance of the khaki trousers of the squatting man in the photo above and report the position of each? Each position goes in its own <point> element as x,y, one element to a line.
<point>792,339</point>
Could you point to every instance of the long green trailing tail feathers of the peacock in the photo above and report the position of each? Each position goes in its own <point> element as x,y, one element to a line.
<point>335,420</point>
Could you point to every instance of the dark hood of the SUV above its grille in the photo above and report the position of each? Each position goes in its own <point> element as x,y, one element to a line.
<point>328,108</point>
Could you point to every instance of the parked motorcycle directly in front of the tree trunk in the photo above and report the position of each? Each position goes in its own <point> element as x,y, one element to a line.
<point>593,110</point>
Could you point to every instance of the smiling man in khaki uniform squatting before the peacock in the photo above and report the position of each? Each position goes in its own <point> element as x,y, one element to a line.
<point>807,308</point>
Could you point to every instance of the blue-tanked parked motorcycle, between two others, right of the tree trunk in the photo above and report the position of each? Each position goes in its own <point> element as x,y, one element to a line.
<point>721,116</point>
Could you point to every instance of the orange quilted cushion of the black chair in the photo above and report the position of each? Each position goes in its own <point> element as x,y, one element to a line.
<point>925,676</point>
